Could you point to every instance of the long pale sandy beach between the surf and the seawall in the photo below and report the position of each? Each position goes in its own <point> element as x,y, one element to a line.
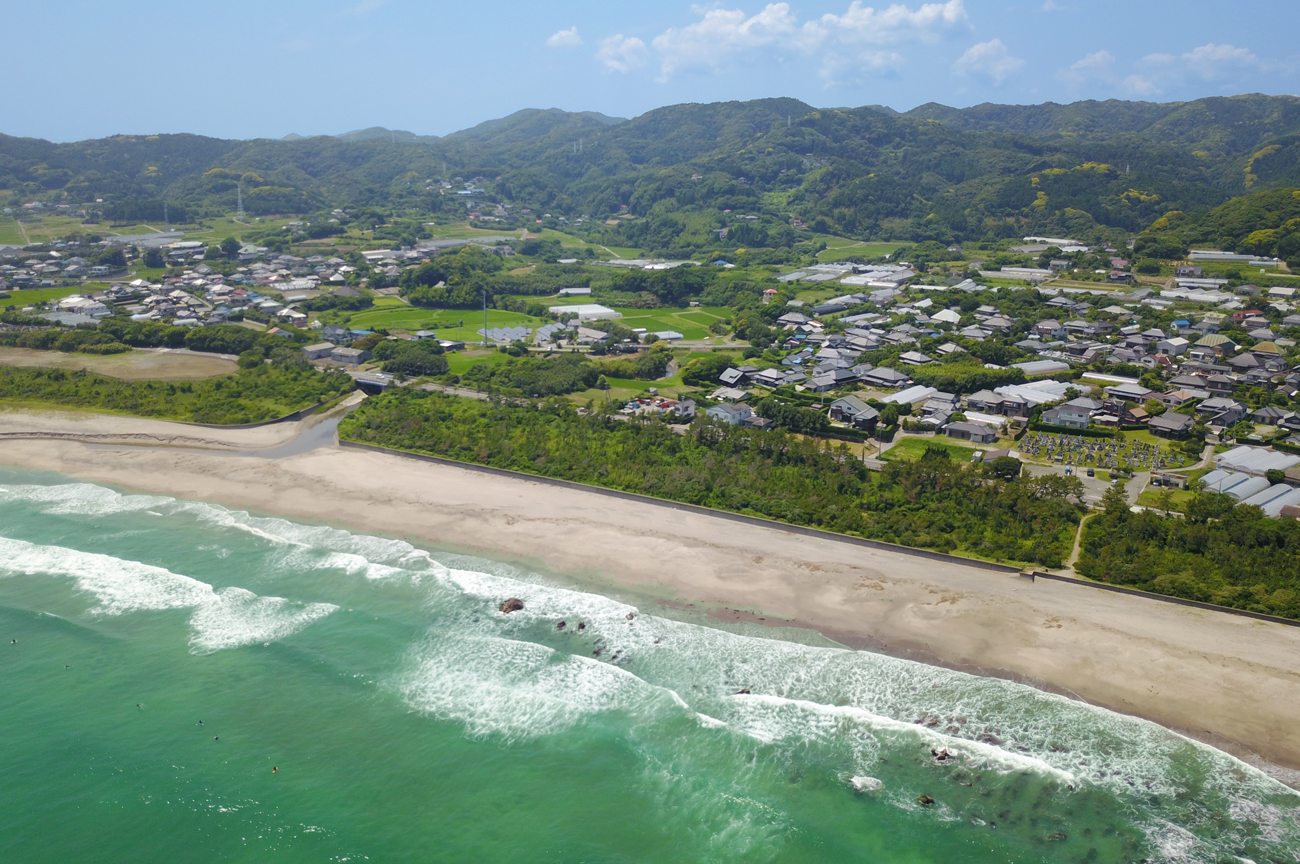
<point>1228,680</point>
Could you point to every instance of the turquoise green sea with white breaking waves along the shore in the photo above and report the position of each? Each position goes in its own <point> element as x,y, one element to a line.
<point>183,683</point>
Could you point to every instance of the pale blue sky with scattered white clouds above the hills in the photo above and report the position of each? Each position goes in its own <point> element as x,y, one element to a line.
<point>268,68</point>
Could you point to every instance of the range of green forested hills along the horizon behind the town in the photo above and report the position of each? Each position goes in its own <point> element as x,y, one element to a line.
<point>933,173</point>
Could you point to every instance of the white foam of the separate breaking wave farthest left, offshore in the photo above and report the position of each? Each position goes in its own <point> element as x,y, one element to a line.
<point>220,620</point>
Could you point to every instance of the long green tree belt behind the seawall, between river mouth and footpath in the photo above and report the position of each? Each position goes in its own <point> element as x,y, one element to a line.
<point>934,503</point>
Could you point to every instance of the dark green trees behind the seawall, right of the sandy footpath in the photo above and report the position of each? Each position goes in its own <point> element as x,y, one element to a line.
<point>1221,553</point>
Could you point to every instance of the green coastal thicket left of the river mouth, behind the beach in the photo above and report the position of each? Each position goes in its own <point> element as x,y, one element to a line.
<point>257,394</point>
